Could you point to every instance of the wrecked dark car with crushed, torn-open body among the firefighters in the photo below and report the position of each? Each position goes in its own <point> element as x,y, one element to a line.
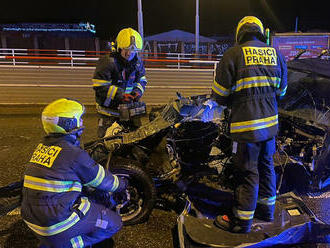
<point>186,143</point>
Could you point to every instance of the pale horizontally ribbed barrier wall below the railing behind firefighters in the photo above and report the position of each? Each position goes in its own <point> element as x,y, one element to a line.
<point>40,85</point>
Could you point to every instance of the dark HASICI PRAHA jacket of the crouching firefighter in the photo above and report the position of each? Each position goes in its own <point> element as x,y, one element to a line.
<point>53,181</point>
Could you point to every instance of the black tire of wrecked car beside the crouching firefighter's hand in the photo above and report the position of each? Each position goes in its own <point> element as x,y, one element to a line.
<point>141,188</point>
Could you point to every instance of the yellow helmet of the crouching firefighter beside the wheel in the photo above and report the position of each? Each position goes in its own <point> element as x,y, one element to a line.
<point>62,116</point>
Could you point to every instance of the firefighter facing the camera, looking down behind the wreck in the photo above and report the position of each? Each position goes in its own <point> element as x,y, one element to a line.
<point>119,77</point>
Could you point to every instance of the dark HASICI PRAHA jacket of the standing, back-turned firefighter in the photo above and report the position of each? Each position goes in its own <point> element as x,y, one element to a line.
<point>249,79</point>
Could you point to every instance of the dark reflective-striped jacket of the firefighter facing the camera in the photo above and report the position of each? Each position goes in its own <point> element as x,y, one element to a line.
<point>115,76</point>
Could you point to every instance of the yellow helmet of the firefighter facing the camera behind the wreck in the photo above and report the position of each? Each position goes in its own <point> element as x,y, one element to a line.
<point>128,38</point>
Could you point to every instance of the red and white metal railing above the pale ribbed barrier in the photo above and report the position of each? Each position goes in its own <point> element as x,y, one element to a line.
<point>82,58</point>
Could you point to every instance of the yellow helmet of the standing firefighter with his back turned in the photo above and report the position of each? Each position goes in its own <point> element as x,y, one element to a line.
<point>249,24</point>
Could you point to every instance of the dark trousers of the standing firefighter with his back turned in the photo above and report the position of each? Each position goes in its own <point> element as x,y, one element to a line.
<point>256,180</point>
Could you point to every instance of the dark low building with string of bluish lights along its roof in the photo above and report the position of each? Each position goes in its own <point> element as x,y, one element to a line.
<point>56,36</point>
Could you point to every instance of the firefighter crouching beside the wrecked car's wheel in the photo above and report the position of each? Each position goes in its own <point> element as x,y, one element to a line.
<point>53,205</point>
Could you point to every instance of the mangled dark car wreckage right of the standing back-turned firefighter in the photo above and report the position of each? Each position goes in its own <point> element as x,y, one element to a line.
<point>303,152</point>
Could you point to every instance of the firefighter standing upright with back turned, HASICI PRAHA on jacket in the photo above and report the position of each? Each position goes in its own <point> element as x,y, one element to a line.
<point>249,79</point>
